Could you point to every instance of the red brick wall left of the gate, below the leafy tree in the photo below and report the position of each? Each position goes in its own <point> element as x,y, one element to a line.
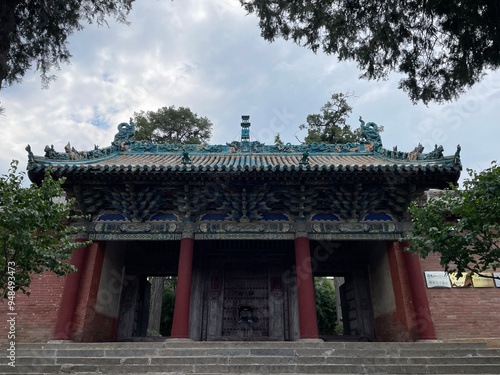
<point>37,313</point>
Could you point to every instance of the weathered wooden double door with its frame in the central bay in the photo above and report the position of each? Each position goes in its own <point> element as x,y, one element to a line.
<point>245,299</point>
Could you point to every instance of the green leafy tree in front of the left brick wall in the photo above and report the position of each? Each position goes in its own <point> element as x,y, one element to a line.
<point>34,231</point>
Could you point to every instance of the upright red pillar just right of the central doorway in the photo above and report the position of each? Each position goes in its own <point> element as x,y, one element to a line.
<point>305,290</point>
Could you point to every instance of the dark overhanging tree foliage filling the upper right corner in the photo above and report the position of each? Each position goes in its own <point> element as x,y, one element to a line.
<point>440,47</point>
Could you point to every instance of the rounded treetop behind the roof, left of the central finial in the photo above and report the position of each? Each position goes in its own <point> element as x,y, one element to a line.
<point>173,125</point>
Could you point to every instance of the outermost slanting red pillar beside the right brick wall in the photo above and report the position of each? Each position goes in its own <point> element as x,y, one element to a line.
<point>425,325</point>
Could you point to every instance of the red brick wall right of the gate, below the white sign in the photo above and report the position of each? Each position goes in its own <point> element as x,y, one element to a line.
<point>462,312</point>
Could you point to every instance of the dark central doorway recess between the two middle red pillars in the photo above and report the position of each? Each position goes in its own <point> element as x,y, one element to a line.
<point>246,295</point>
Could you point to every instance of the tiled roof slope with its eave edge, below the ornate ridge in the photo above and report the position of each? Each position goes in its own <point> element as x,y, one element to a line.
<point>154,164</point>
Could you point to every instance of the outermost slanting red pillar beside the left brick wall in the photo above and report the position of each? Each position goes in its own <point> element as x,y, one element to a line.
<point>65,315</point>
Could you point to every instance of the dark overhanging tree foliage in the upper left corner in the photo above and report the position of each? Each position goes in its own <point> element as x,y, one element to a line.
<point>35,33</point>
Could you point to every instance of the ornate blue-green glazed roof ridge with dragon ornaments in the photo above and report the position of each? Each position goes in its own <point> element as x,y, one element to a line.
<point>124,143</point>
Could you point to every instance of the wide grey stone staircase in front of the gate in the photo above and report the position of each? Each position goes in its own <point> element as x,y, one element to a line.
<point>303,357</point>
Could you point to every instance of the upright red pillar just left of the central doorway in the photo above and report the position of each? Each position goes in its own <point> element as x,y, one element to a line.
<point>180,324</point>
